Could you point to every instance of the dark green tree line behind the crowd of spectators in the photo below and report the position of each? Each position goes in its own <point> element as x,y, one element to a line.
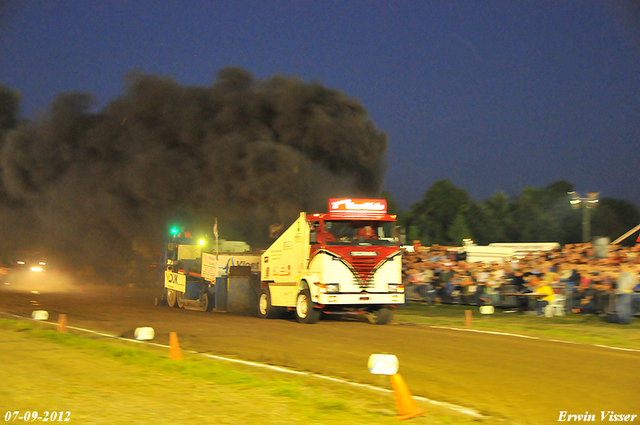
<point>447,215</point>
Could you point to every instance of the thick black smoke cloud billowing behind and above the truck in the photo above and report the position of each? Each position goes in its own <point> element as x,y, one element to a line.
<point>99,187</point>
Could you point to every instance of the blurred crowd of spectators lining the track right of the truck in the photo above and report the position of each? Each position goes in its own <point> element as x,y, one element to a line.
<point>573,276</point>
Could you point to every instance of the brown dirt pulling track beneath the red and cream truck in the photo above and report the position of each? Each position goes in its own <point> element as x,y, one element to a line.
<point>521,380</point>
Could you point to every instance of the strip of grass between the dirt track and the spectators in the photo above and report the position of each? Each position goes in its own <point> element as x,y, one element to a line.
<point>586,329</point>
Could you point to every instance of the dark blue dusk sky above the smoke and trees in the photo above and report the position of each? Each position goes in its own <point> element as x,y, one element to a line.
<point>493,95</point>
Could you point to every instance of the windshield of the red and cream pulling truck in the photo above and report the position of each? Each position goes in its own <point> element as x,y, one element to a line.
<point>378,233</point>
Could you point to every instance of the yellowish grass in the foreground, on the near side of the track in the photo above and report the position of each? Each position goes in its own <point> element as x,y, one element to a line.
<point>108,381</point>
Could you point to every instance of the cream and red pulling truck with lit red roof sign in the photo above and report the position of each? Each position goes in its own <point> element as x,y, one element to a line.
<point>345,261</point>
